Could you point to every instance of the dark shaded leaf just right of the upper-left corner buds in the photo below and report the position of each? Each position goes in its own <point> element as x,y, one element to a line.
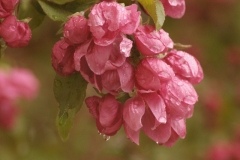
<point>29,9</point>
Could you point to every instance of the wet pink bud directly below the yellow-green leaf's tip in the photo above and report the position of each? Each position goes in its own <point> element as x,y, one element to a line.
<point>151,42</point>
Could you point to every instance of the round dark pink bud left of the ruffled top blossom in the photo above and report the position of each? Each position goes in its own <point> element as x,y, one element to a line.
<point>76,30</point>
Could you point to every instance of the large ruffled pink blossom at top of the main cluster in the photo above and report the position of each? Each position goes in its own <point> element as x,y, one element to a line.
<point>108,19</point>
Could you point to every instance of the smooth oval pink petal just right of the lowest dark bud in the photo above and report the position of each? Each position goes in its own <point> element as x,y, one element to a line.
<point>133,111</point>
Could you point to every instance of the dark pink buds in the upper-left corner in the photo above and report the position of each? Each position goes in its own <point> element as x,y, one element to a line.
<point>15,33</point>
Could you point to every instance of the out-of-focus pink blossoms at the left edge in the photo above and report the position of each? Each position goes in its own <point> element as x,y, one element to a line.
<point>14,84</point>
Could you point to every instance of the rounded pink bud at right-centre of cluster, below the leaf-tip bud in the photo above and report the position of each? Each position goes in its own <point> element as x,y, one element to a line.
<point>151,73</point>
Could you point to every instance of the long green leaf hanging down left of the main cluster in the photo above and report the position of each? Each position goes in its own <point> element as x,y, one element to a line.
<point>70,93</point>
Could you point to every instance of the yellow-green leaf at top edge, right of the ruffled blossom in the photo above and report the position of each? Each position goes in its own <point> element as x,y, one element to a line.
<point>156,11</point>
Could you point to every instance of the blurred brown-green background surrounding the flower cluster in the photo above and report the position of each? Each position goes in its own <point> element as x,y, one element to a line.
<point>212,27</point>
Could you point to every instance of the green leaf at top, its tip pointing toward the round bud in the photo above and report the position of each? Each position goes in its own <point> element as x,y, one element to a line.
<point>54,11</point>
